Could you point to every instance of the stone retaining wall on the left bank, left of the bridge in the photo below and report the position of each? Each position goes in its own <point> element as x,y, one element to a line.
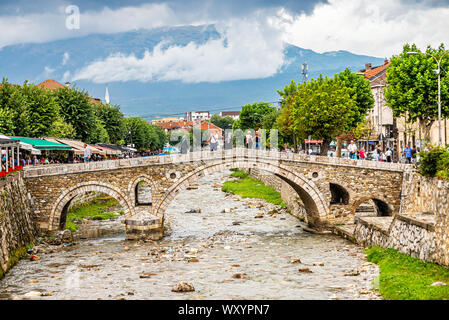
<point>17,228</point>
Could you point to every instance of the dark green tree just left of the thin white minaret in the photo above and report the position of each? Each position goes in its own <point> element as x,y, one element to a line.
<point>77,110</point>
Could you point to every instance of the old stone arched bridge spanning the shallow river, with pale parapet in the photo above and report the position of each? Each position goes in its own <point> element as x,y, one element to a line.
<point>330,188</point>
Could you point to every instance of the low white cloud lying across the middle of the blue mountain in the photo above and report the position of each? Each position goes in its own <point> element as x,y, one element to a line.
<point>247,49</point>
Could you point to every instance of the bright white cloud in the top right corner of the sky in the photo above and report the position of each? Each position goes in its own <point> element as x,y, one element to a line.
<point>366,27</point>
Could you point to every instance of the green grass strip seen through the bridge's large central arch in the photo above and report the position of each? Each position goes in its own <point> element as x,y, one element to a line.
<point>248,187</point>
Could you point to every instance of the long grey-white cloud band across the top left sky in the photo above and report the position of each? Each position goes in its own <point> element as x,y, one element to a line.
<point>44,27</point>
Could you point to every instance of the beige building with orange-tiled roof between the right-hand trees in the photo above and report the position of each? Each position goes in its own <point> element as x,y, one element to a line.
<point>380,117</point>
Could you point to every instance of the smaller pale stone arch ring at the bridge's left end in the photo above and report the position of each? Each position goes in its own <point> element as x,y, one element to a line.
<point>59,210</point>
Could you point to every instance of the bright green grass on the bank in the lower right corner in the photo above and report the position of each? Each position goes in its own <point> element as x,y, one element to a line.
<point>406,278</point>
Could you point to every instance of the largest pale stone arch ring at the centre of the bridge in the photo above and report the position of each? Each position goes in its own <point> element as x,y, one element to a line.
<point>314,201</point>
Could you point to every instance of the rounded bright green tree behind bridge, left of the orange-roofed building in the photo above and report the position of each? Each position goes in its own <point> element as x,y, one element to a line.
<point>323,108</point>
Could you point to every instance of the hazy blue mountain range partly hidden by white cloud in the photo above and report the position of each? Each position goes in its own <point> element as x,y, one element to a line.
<point>37,62</point>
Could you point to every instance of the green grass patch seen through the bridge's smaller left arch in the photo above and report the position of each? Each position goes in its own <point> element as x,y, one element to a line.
<point>99,209</point>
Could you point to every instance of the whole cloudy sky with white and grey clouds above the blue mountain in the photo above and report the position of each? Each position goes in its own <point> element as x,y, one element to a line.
<point>252,30</point>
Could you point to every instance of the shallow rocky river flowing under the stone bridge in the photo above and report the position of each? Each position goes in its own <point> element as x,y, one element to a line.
<point>232,255</point>
